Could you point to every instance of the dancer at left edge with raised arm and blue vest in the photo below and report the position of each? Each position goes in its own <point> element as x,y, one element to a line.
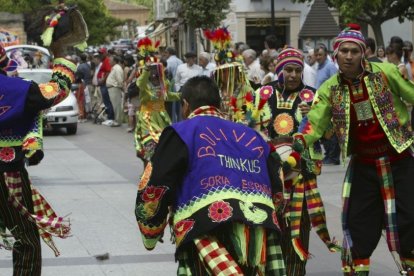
<point>23,210</point>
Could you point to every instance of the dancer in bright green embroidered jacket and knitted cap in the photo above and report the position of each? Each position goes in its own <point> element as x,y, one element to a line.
<point>366,102</point>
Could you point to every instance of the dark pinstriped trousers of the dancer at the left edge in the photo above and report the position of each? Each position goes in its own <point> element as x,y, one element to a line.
<point>27,257</point>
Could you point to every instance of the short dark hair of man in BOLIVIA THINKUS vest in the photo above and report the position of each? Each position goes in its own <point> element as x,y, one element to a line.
<point>199,91</point>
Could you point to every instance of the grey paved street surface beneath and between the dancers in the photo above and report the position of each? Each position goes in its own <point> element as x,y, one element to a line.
<point>92,176</point>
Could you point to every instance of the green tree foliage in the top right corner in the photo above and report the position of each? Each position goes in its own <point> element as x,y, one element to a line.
<point>372,12</point>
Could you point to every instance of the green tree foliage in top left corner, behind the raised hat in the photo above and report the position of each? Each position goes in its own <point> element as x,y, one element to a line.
<point>95,13</point>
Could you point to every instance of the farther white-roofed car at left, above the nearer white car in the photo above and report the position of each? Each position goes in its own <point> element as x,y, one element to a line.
<point>29,56</point>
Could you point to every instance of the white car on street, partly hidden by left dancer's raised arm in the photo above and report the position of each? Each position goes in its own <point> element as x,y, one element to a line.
<point>63,115</point>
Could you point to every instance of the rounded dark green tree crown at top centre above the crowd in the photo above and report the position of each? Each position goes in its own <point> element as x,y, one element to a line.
<point>203,13</point>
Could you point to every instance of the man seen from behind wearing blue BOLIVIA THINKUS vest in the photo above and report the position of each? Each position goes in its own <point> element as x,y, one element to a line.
<point>215,179</point>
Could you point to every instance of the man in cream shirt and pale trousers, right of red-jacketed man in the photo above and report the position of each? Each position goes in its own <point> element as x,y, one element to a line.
<point>115,82</point>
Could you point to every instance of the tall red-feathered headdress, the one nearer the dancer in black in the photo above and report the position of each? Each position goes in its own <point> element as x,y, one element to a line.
<point>221,40</point>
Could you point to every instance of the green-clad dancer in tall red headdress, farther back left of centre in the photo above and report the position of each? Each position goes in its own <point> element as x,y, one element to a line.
<point>152,116</point>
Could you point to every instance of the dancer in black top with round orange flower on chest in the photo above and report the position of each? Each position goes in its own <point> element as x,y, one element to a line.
<point>287,101</point>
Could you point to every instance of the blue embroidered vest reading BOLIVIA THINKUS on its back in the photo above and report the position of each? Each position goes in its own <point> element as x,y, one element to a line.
<point>227,178</point>
